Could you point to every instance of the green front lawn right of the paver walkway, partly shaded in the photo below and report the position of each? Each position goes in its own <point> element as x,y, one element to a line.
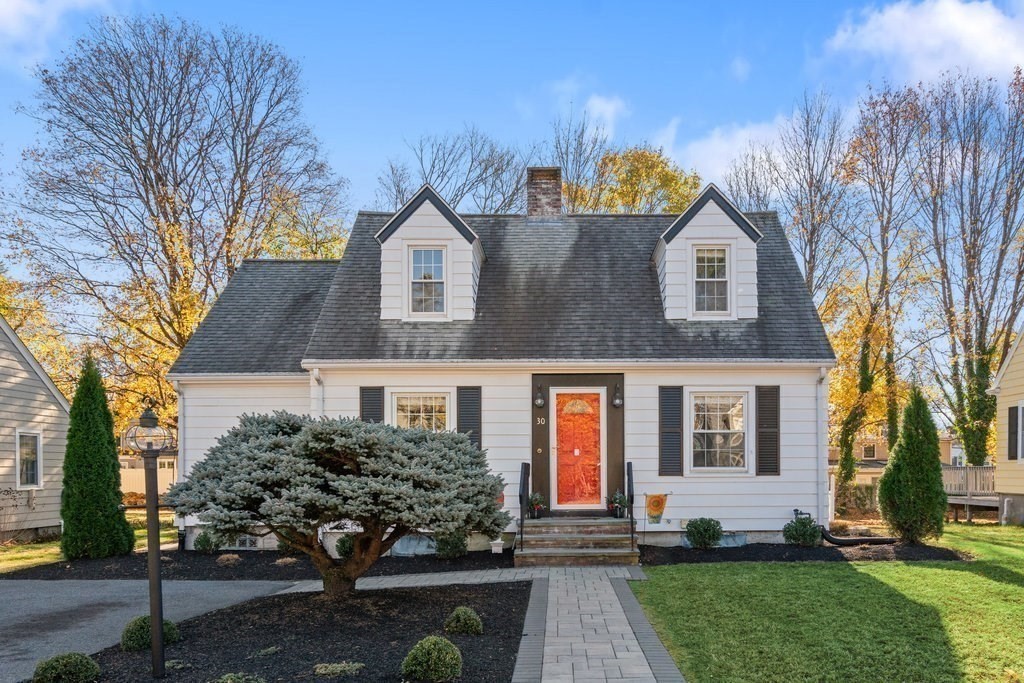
<point>848,622</point>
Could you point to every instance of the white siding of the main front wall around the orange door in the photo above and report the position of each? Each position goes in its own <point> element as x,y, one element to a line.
<point>741,502</point>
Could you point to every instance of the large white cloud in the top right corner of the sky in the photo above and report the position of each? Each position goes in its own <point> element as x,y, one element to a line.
<point>920,40</point>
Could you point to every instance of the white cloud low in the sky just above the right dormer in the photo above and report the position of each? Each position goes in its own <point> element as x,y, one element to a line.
<point>712,154</point>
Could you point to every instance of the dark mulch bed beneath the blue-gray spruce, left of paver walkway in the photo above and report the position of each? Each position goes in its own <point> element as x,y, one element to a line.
<point>282,638</point>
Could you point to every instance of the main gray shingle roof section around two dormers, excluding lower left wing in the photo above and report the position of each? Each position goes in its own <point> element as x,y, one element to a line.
<point>580,288</point>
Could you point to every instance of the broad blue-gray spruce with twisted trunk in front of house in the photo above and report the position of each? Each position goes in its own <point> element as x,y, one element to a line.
<point>291,476</point>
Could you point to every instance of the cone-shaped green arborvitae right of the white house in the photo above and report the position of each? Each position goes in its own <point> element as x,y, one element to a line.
<point>912,498</point>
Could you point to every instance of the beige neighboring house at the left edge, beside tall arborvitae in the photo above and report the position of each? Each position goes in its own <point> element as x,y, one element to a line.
<point>33,437</point>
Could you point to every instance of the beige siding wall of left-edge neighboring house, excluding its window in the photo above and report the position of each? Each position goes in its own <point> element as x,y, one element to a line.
<point>27,405</point>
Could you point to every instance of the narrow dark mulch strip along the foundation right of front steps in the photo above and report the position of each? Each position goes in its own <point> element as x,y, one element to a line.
<point>770,552</point>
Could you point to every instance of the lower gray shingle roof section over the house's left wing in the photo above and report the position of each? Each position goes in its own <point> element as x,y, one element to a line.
<point>262,322</point>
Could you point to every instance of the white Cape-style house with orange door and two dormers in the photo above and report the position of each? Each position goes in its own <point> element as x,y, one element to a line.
<point>685,345</point>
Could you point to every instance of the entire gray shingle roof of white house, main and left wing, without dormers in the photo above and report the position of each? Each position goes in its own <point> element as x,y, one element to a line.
<point>576,288</point>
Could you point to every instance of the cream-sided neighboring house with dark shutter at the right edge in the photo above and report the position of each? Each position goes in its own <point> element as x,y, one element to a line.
<point>1009,390</point>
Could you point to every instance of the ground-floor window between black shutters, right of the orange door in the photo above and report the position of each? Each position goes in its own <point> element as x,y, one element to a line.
<point>719,431</point>
